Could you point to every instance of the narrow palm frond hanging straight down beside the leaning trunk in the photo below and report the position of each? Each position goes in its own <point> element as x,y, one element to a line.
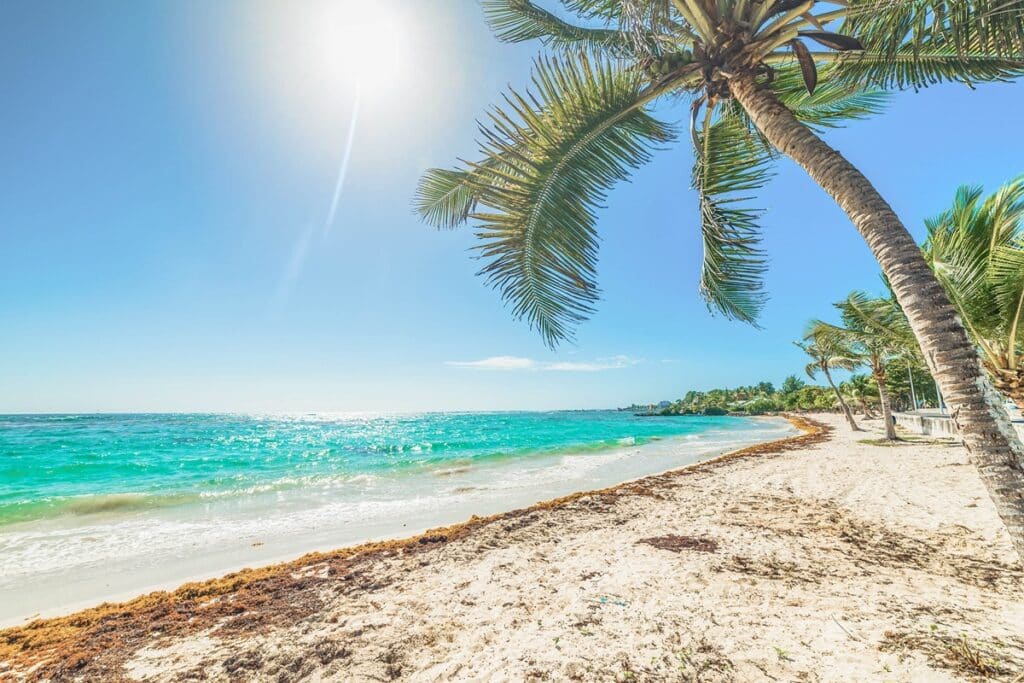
<point>730,164</point>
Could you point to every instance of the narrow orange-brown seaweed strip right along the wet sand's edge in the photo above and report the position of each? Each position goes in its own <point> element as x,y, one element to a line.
<point>34,642</point>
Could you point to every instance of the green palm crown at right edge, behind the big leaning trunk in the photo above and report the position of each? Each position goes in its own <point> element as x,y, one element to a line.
<point>976,250</point>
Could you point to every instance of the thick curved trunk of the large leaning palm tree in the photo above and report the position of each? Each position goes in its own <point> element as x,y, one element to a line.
<point>975,408</point>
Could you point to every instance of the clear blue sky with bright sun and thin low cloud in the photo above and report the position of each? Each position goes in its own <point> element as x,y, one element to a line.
<point>173,235</point>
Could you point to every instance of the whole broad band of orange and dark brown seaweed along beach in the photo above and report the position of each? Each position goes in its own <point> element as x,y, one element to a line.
<point>95,644</point>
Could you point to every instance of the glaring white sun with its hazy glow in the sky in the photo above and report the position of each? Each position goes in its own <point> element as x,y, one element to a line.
<point>309,69</point>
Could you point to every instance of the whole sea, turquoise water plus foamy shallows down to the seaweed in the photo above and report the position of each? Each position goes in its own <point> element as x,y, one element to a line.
<point>158,499</point>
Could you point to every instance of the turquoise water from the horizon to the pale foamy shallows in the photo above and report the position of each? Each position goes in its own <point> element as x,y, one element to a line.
<point>62,465</point>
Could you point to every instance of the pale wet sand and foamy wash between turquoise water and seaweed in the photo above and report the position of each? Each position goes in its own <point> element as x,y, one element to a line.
<point>89,567</point>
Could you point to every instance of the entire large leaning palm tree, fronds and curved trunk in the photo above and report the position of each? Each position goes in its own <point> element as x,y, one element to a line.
<point>756,91</point>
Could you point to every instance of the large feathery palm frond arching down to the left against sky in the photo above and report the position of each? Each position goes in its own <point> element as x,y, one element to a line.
<point>549,161</point>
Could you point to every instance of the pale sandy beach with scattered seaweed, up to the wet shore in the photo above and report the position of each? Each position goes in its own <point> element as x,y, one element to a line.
<point>821,558</point>
